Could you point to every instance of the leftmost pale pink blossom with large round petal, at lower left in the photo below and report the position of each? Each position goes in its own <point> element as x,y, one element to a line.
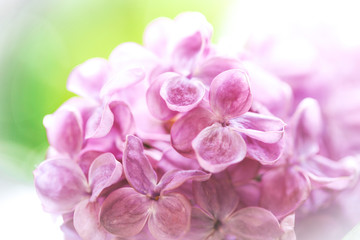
<point>71,191</point>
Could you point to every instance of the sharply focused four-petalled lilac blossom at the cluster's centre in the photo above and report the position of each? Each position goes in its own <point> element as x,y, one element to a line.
<point>223,135</point>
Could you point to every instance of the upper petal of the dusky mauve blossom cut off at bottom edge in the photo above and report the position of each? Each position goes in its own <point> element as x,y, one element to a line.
<point>216,196</point>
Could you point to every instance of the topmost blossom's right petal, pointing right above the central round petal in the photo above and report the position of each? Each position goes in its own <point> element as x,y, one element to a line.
<point>213,66</point>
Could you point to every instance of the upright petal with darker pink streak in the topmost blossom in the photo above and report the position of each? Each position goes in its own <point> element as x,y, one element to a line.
<point>186,53</point>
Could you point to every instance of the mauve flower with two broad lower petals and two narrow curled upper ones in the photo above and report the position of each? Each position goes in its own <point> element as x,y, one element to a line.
<point>126,210</point>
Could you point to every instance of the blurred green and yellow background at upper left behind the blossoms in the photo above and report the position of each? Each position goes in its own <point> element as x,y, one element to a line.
<point>42,41</point>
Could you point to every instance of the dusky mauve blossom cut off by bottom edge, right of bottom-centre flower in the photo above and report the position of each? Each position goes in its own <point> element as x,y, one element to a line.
<point>219,216</point>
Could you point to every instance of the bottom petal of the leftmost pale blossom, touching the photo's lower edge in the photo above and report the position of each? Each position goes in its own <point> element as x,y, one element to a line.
<point>86,221</point>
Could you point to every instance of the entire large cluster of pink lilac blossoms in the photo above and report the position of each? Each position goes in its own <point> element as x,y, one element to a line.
<point>177,140</point>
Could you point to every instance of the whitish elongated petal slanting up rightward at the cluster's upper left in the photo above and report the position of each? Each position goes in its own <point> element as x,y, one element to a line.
<point>122,80</point>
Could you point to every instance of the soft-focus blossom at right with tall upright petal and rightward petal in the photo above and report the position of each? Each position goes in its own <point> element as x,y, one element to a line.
<point>304,170</point>
